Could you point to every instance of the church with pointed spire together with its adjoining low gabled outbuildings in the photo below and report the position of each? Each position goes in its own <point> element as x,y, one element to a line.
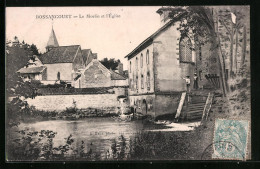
<point>76,67</point>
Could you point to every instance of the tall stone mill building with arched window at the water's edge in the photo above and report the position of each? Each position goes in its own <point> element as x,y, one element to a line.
<point>157,66</point>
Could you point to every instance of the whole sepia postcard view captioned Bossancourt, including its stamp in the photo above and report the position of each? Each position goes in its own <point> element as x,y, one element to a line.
<point>127,83</point>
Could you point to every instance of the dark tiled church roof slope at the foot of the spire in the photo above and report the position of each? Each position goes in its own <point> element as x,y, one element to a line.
<point>61,54</point>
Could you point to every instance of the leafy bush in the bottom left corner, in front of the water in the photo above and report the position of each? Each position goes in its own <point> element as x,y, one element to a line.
<point>37,145</point>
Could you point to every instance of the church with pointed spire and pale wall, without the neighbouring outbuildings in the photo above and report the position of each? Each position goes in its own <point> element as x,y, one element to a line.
<point>64,62</point>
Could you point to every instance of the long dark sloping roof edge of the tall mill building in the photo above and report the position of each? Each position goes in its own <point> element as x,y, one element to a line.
<point>149,40</point>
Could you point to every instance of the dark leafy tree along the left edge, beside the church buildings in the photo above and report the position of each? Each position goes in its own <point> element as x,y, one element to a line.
<point>17,58</point>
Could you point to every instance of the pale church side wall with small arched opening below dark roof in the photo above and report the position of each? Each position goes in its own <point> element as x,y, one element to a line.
<point>65,70</point>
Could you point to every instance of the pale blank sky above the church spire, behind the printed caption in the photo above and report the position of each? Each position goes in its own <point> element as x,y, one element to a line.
<point>107,36</point>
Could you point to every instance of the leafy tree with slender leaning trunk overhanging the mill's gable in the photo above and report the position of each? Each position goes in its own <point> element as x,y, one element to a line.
<point>197,22</point>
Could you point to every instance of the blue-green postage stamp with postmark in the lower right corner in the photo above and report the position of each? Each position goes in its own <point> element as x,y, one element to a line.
<point>230,139</point>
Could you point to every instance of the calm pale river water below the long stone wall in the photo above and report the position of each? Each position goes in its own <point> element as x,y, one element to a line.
<point>98,134</point>
